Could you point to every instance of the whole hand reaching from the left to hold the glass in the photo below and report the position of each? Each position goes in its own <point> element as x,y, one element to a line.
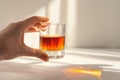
<point>11,39</point>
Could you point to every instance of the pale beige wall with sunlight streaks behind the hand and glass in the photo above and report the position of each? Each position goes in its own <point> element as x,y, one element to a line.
<point>90,23</point>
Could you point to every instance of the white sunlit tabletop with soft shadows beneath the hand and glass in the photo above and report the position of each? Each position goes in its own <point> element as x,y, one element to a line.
<point>26,68</point>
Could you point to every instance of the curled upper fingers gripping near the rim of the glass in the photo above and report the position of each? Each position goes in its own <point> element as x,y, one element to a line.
<point>35,21</point>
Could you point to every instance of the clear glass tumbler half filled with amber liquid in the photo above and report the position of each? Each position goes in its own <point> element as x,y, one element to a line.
<point>52,40</point>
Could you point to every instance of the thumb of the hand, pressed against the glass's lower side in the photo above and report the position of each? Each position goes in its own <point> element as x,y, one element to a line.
<point>36,53</point>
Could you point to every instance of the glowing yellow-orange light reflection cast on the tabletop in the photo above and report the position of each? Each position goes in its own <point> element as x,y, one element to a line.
<point>71,72</point>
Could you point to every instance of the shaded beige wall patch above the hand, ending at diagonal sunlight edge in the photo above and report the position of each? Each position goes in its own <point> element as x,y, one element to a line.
<point>14,10</point>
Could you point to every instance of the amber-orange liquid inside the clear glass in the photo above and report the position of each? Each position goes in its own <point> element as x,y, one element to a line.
<point>52,43</point>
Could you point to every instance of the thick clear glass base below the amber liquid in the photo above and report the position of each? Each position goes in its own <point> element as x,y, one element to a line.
<point>55,54</point>
